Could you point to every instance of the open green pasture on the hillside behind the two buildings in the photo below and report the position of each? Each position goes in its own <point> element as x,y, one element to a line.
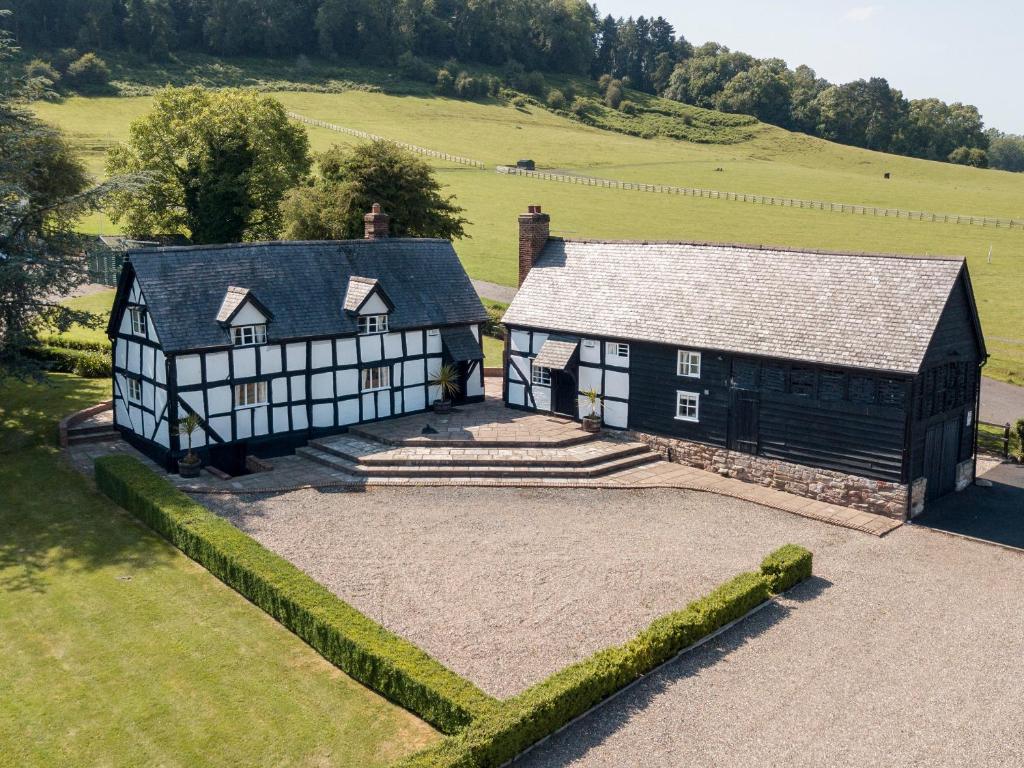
<point>772,162</point>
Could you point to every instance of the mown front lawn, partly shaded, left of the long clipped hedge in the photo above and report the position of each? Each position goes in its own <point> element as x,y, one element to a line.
<point>119,651</point>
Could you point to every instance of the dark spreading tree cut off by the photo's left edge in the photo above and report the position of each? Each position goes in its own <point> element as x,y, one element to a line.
<point>45,190</point>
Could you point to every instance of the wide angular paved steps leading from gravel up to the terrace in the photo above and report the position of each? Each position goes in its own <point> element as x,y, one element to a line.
<point>356,456</point>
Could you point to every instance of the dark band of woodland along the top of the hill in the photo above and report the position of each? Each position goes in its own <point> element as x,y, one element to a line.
<point>554,36</point>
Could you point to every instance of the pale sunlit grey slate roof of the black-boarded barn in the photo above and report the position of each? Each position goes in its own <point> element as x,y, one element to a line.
<point>840,310</point>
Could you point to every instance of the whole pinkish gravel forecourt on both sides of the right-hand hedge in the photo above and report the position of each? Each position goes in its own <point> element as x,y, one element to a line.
<point>907,651</point>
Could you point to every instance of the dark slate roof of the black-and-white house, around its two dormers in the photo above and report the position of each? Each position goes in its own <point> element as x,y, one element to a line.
<point>304,285</point>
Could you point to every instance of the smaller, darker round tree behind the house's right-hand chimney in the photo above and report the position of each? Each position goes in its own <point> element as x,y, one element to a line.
<point>352,181</point>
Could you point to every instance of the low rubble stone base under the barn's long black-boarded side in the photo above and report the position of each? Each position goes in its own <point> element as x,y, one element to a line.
<point>878,497</point>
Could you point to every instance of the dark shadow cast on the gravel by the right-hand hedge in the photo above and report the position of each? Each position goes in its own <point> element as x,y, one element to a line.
<point>581,738</point>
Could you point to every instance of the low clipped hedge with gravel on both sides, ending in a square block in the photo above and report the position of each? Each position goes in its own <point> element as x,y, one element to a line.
<point>540,711</point>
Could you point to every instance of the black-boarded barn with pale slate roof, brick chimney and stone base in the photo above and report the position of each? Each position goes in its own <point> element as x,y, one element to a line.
<point>848,378</point>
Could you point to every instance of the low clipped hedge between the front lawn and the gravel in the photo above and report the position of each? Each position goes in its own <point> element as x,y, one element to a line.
<point>367,652</point>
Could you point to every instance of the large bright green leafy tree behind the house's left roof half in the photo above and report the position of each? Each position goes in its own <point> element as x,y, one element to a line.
<point>219,163</point>
